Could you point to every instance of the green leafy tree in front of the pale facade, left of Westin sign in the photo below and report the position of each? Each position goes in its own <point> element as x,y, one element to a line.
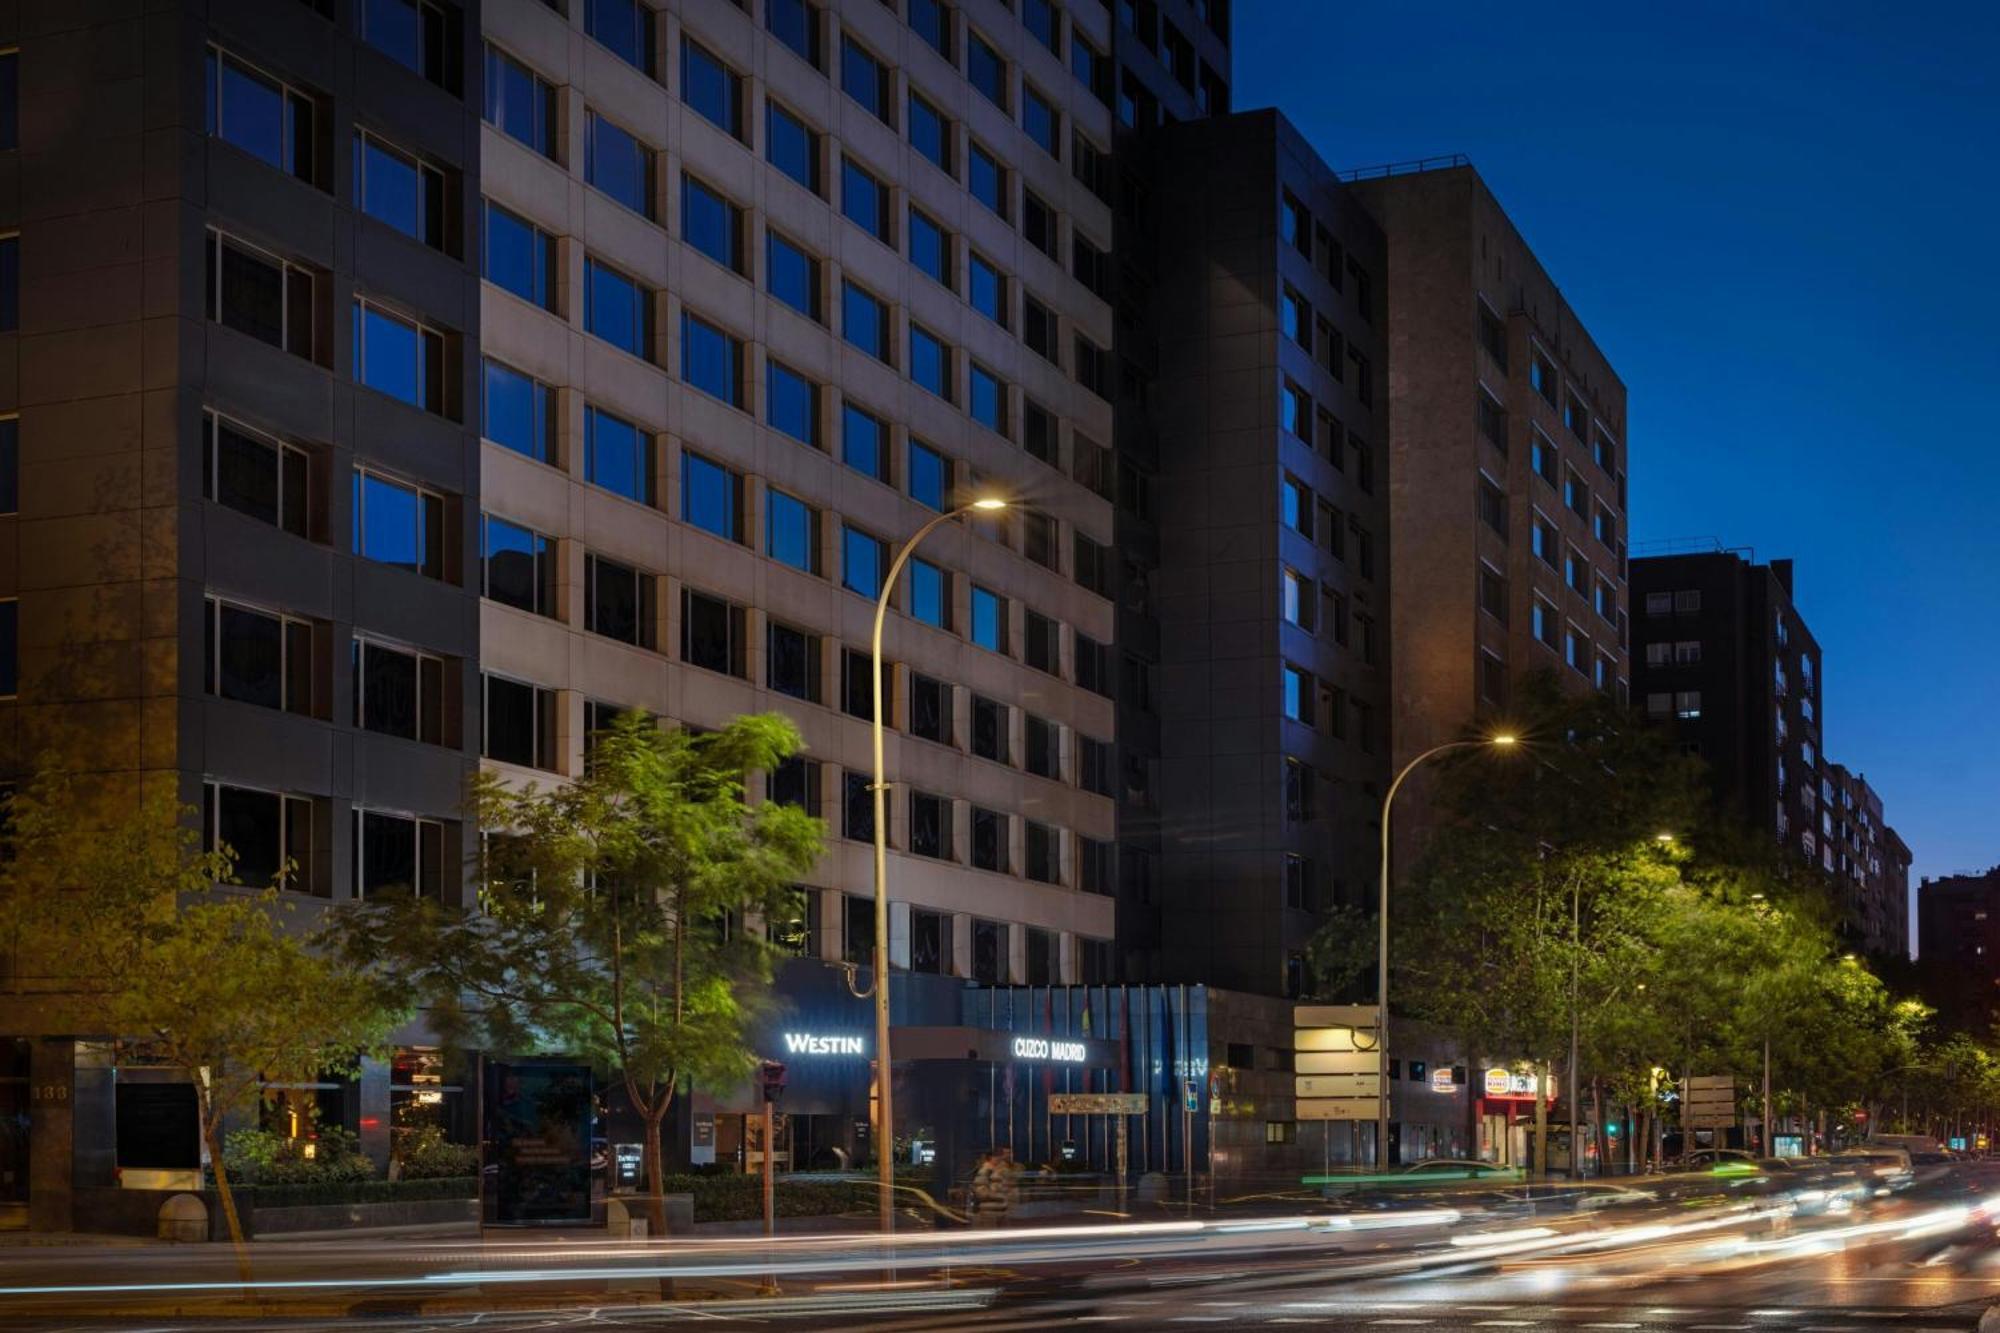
<point>617,916</point>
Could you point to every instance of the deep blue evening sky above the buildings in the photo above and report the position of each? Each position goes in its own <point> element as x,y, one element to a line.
<point>1779,223</point>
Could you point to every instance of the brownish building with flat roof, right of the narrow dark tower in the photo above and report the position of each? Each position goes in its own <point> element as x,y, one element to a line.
<point>1507,459</point>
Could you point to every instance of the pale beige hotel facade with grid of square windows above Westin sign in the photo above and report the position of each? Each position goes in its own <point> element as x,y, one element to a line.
<point>769,287</point>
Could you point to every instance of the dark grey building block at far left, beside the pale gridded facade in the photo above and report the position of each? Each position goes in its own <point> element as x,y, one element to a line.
<point>239,315</point>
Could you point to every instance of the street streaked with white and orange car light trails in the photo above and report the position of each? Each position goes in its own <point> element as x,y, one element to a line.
<point>1701,1260</point>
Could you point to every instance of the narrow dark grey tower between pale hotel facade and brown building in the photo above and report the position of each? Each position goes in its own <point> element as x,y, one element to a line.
<point>1275,581</point>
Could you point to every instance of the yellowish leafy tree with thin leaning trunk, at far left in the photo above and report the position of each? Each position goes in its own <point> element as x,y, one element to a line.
<point>231,988</point>
